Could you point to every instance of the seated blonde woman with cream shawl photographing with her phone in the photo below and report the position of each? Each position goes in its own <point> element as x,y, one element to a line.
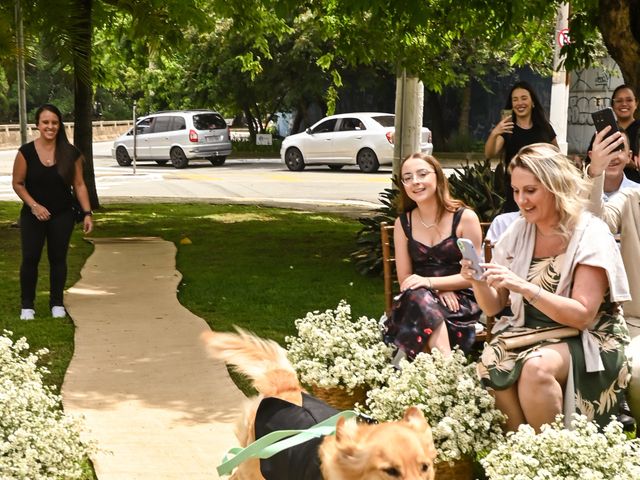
<point>559,265</point>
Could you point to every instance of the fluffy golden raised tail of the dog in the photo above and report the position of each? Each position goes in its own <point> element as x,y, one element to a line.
<point>263,361</point>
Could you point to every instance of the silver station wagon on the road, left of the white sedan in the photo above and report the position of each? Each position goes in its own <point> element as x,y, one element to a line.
<point>176,136</point>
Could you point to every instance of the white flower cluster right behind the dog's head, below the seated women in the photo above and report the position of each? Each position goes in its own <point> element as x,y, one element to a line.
<point>461,413</point>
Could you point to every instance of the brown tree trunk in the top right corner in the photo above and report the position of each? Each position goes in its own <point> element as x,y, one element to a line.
<point>619,23</point>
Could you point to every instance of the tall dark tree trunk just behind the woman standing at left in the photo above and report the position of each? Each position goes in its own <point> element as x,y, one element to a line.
<point>83,95</point>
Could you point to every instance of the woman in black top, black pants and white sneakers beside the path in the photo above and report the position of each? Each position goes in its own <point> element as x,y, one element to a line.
<point>44,173</point>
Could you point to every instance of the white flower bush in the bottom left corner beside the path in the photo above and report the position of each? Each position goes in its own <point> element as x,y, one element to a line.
<point>37,440</point>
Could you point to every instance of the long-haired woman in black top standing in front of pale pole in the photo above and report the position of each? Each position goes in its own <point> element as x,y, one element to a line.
<point>526,125</point>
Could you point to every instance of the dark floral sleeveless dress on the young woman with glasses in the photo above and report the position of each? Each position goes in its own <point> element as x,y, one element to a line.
<point>416,313</point>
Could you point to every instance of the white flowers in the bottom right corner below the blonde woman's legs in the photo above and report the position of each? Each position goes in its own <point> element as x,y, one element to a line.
<point>557,453</point>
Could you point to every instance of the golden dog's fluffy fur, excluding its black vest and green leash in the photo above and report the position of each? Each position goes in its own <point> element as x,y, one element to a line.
<point>401,450</point>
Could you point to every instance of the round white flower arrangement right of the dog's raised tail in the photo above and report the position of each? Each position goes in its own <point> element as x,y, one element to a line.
<point>332,350</point>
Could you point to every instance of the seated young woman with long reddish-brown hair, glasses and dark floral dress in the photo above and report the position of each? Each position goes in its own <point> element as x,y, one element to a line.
<point>436,308</point>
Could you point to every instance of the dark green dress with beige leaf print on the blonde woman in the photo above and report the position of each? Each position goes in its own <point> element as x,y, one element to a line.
<point>597,394</point>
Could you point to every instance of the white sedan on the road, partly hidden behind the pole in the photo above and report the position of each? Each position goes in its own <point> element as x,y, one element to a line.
<point>363,139</point>
